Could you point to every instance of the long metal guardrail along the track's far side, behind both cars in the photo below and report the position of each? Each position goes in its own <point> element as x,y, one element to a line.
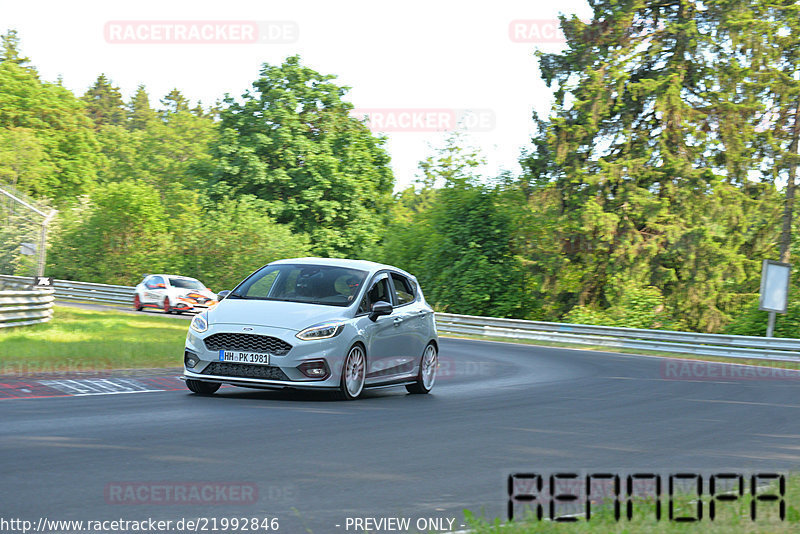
<point>752,347</point>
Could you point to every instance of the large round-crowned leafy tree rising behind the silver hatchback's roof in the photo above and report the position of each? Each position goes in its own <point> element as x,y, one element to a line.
<point>291,142</point>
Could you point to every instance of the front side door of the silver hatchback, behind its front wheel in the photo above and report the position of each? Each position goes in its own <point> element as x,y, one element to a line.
<point>383,354</point>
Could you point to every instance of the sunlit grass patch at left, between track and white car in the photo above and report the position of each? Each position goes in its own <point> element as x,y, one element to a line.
<point>77,340</point>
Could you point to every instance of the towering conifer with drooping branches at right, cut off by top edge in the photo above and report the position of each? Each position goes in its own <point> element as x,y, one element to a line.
<point>651,184</point>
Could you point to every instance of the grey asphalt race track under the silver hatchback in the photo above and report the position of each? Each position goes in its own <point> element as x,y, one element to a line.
<point>313,461</point>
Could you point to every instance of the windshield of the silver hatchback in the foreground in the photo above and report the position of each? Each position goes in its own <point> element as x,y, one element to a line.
<point>312,284</point>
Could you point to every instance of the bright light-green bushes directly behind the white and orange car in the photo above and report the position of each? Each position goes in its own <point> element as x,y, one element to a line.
<point>123,231</point>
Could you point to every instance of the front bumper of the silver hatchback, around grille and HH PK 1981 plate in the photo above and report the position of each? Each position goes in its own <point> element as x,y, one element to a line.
<point>283,370</point>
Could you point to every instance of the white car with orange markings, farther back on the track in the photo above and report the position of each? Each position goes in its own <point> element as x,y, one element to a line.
<point>173,294</point>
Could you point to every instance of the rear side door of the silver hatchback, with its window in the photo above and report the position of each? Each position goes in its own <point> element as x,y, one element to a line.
<point>408,317</point>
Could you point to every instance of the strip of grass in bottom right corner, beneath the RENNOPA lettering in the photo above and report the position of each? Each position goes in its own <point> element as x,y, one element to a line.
<point>730,517</point>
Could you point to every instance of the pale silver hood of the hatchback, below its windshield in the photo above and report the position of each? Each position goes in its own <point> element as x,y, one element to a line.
<point>289,315</point>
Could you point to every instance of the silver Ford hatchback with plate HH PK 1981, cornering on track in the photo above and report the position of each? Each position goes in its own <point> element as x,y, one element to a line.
<point>315,323</point>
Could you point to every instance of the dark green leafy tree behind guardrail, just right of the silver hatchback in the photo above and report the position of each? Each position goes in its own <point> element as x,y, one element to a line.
<point>456,238</point>
